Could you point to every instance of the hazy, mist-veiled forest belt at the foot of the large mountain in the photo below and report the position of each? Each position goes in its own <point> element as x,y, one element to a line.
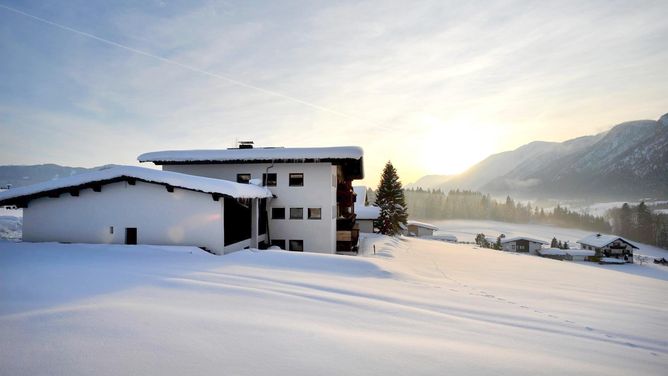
<point>465,204</point>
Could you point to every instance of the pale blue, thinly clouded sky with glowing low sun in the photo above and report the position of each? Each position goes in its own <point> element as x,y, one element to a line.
<point>433,86</point>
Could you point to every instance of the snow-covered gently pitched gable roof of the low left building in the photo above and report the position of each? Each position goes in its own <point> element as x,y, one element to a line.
<point>173,179</point>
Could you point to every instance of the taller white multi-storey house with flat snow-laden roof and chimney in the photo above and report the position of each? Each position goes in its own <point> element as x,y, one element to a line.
<point>313,205</point>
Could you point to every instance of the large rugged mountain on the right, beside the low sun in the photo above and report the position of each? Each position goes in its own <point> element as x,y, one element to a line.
<point>629,161</point>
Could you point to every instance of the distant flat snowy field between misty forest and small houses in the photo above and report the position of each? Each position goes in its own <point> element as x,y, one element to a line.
<point>466,230</point>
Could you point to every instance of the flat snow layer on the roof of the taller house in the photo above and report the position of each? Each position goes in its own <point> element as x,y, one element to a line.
<point>254,154</point>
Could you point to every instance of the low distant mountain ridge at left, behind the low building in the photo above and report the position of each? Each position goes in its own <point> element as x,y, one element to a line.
<point>17,176</point>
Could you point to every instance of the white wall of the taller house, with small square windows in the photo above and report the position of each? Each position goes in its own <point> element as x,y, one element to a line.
<point>319,191</point>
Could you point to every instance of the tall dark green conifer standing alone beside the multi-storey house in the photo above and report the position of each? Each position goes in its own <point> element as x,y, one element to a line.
<point>391,201</point>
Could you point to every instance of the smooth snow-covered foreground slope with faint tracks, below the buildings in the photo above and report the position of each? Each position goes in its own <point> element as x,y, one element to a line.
<point>413,307</point>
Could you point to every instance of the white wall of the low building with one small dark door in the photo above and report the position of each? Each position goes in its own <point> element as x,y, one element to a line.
<point>181,217</point>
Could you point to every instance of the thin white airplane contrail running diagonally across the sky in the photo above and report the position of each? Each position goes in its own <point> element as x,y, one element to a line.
<point>186,66</point>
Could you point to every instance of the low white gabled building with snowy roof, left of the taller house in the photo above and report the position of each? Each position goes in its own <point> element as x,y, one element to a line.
<point>135,205</point>
